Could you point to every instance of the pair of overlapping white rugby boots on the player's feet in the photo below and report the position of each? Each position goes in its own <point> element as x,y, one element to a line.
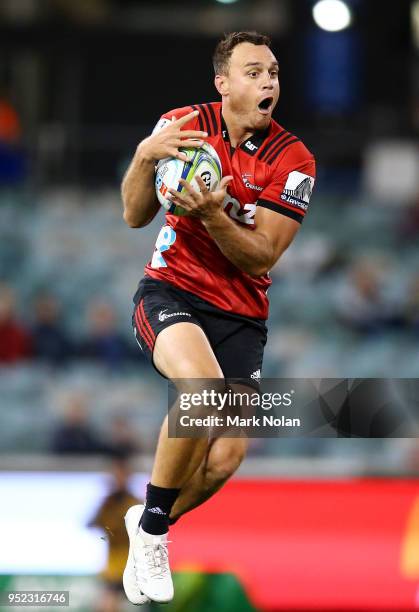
<point>149,560</point>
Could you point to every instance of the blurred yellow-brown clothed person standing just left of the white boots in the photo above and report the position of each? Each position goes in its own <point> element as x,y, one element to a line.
<point>110,518</point>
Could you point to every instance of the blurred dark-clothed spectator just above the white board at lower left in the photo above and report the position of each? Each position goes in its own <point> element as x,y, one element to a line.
<point>75,436</point>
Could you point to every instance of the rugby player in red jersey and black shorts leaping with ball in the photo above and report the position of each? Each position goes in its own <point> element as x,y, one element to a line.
<point>202,302</point>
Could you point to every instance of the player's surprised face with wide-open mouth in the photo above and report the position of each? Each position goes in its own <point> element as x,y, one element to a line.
<point>251,88</point>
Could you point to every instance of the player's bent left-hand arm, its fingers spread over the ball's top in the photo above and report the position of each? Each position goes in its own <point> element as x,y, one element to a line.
<point>137,189</point>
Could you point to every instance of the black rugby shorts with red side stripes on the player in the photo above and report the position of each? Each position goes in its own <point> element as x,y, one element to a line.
<point>238,342</point>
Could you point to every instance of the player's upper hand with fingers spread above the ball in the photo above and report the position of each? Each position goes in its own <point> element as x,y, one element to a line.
<point>167,141</point>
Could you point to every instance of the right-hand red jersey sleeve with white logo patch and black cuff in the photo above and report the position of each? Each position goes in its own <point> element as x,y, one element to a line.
<point>291,185</point>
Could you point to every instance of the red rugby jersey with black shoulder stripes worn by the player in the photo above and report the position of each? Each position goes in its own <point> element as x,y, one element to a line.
<point>272,169</point>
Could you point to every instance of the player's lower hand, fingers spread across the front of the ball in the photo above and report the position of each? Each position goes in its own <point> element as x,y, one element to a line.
<point>203,204</point>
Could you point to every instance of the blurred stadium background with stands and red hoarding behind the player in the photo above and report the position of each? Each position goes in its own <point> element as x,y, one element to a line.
<point>81,83</point>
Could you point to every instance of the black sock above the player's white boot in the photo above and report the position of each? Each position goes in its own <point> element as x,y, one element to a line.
<point>159,502</point>
